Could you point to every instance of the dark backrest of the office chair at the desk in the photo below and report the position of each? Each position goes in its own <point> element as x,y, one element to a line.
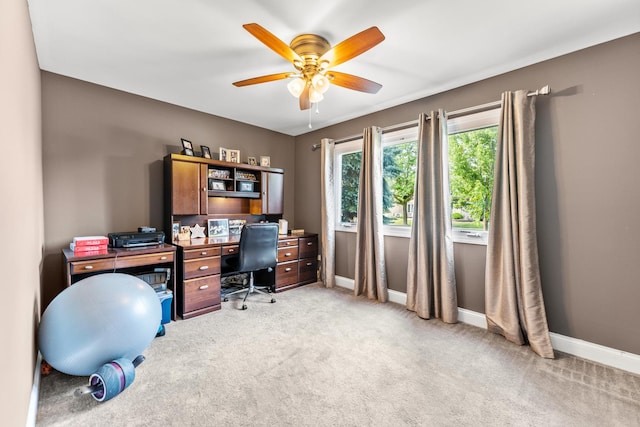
<point>258,247</point>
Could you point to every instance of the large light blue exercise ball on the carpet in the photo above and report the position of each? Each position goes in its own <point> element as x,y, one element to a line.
<point>99,319</point>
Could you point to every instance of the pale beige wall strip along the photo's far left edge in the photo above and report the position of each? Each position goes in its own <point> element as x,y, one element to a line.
<point>21,216</point>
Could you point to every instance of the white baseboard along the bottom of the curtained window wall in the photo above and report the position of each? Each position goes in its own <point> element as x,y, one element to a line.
<point>597,353</point>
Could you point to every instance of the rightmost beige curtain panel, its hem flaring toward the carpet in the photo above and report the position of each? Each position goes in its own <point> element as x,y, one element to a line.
<point>513,292</point>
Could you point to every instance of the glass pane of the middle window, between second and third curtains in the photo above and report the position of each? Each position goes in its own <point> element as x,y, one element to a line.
<point>399,177</point>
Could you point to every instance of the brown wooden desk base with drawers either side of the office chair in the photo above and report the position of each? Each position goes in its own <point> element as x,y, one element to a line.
<point>201,262</point>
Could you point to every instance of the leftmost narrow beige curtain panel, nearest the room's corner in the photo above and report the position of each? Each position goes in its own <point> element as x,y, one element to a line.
<point>328,234</point>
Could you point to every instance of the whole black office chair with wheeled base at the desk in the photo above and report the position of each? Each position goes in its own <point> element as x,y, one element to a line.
<point>258,251</point>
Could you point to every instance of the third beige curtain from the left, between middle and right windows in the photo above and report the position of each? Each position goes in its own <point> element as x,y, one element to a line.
<point>431,283</point>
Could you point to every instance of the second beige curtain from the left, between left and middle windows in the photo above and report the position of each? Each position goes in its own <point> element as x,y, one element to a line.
<point>370,274</point>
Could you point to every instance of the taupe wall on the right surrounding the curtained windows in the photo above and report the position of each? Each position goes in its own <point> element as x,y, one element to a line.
<point>587,190</point>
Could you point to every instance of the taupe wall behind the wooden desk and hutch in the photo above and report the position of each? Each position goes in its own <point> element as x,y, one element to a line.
<point>103,152</point>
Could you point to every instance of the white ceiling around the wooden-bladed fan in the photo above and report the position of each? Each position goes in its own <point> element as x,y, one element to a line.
<point>188,52</point>
